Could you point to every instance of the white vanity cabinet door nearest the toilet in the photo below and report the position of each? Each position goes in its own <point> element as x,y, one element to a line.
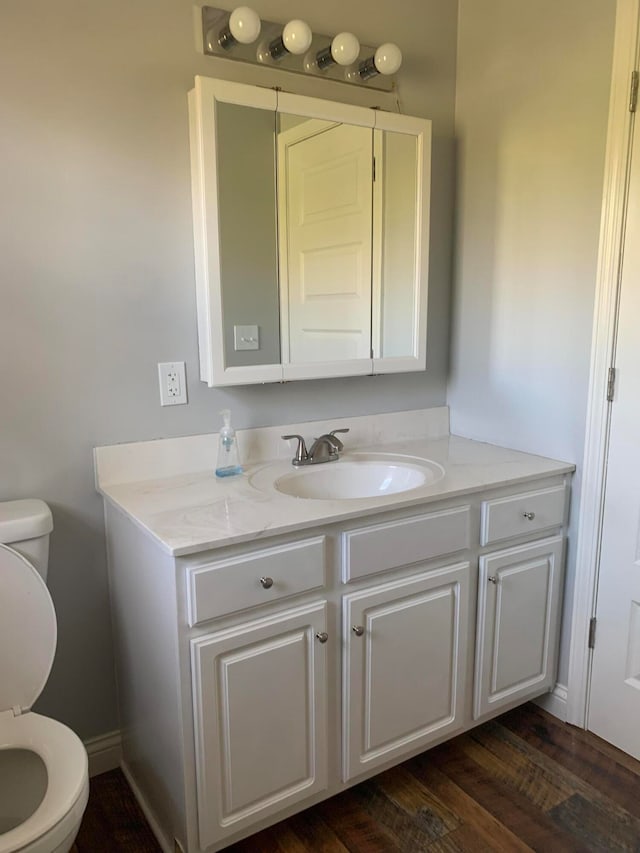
<point>260,719</point>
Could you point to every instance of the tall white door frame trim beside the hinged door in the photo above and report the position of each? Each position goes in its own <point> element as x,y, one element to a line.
<point>592,493</point>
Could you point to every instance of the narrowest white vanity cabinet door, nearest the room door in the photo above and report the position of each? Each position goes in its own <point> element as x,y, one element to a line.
<point>519,594</point>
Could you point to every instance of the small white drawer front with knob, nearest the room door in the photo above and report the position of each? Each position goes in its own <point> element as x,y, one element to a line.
<point>518,515</point>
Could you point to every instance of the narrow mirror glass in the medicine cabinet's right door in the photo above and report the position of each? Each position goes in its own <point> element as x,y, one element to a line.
<point>394,244</point>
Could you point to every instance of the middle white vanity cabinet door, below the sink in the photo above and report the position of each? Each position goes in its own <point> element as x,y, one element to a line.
<point>405,665</point>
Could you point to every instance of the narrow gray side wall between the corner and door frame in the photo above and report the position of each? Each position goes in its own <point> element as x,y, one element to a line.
<point>531,116</point>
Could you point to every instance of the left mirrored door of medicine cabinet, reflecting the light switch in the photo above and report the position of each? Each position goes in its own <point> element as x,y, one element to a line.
<point>232,130</point>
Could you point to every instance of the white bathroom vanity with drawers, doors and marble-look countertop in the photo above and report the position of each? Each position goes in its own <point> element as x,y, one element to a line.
<point>274,650</point>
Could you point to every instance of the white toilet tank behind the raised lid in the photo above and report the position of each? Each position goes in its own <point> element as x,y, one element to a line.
<point>25,526</point>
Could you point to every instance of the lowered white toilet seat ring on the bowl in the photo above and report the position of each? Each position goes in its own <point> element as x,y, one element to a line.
<point>65,759</point>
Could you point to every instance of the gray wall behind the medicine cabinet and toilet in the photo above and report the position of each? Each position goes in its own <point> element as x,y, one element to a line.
<point>96,266</point>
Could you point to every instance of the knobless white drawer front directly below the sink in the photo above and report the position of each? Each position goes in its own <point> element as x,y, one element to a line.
<point>369,550</point>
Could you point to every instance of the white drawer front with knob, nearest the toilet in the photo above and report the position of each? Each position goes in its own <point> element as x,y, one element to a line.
<point>250,580</point>
